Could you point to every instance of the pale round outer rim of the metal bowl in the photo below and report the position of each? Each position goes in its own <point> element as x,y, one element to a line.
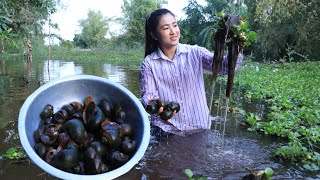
<point>66,175</point>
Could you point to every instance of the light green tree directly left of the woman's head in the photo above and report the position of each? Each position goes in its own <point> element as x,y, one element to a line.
<point>135,13</point>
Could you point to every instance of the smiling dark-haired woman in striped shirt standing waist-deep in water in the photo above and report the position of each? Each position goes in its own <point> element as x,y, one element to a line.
<point>172,71</point>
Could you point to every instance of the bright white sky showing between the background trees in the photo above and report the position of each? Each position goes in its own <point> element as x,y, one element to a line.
<point>75,10</point>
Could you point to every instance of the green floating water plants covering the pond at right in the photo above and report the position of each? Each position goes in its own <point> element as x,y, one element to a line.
<point>291,93</point>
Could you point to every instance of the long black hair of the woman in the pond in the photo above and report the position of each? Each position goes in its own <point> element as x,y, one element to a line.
<point>151,24</point>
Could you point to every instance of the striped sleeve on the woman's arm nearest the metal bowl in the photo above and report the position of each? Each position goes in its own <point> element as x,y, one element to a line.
<point>148,88</point>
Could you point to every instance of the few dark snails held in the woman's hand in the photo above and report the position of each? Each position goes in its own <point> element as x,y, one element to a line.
<point>168,108</point>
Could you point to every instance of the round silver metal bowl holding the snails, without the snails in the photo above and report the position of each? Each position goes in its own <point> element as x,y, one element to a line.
<point>76,88</point>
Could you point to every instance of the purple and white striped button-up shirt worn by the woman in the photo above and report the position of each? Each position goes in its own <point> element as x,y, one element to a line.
<point>179,80</point>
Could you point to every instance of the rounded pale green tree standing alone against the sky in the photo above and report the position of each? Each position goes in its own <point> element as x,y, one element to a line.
<point>94,30</point>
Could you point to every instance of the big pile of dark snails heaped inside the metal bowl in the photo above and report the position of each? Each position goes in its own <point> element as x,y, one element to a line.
<point>85,138</point>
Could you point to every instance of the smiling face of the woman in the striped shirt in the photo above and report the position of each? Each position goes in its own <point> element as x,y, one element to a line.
<point>168,31</point>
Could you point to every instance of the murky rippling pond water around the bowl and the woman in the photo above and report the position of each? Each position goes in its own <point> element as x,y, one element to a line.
<point>224,152</point>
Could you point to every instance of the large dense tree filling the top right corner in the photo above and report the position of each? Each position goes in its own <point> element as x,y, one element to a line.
<point>284,25</point>
